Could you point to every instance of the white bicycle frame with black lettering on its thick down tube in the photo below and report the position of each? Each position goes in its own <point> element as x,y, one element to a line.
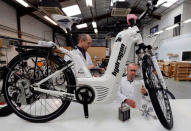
<point>106,86</point>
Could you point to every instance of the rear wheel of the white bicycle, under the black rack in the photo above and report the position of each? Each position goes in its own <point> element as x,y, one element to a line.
<point>28,68</point>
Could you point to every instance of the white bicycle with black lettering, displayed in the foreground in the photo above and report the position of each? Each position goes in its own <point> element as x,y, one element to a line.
<point>44,99</point>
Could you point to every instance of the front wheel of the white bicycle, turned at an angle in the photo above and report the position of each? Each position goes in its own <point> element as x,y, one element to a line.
<point>157,93</point>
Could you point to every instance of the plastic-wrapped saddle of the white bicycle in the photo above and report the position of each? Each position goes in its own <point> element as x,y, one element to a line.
<point>65,21</point>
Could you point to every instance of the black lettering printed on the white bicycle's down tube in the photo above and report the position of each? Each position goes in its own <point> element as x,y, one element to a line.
<point>120,56</point>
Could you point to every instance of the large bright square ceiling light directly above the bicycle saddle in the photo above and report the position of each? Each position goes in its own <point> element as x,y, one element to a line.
<point>72,10</point>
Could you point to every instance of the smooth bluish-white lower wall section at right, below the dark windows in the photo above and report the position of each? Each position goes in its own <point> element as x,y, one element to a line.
<point>174,45</point>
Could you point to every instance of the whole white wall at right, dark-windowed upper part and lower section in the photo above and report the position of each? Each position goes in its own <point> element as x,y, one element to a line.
<point>166,42</point>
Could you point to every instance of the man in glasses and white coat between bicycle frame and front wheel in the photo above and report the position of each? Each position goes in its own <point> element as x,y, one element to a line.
<point>126,91</point>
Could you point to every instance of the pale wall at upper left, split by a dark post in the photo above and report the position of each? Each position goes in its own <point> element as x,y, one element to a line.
<point>31,28</point>
